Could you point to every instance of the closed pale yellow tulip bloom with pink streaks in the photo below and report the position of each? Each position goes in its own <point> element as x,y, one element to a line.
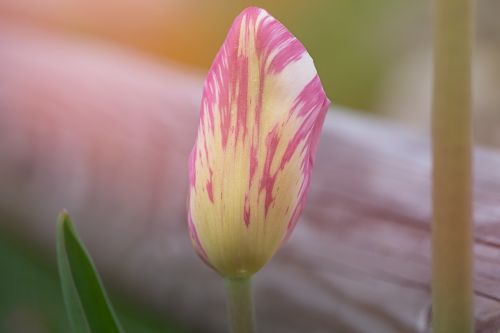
<point>262,111</point>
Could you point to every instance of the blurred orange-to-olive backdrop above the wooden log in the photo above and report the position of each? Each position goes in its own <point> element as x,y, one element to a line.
<point>372,56</point>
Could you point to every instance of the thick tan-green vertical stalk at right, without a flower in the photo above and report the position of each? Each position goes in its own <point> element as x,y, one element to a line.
<point>452,231</point>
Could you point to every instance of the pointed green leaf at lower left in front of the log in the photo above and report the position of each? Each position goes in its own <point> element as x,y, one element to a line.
<point>87,304</point>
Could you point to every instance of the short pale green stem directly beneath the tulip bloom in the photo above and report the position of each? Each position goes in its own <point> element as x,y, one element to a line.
<point>240,305</point>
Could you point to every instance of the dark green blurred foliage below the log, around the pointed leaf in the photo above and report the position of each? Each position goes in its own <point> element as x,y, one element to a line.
<point>31,299</point>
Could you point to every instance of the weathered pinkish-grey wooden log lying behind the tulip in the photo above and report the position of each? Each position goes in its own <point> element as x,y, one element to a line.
<point>105,133</point>
